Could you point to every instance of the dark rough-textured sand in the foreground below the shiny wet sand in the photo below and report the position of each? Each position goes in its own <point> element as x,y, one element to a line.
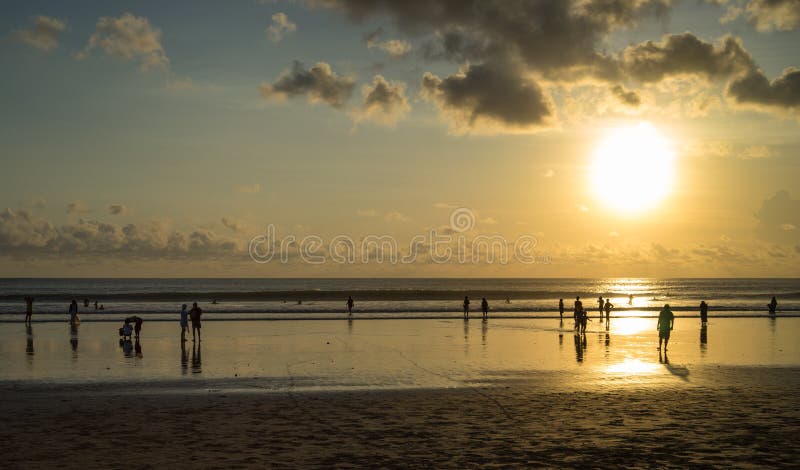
<point>739,416</point>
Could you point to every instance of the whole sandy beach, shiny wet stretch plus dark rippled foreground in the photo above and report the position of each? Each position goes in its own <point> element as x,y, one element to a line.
<point>408,393</point>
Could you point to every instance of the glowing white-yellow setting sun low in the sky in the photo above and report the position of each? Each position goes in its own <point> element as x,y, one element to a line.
<point>633,169</point>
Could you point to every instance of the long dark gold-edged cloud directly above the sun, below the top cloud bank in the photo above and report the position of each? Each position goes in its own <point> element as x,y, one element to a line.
<point>685,53</point>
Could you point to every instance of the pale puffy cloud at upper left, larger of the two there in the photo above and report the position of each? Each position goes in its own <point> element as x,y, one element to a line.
<point>131,38</point>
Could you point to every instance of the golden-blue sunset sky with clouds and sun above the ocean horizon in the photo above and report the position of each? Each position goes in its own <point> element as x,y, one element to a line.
<point>194,138</point>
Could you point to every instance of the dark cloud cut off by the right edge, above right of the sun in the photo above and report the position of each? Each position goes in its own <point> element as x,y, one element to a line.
<point>754,89</point>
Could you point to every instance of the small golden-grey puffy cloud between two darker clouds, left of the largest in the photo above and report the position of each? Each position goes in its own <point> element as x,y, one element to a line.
<point>384,102</point>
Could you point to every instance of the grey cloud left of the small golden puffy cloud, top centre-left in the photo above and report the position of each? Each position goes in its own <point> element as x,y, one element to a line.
<point>319,83</point>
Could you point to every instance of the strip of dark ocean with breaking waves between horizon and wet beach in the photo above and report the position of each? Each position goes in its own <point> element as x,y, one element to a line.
<point>161,299</point>
